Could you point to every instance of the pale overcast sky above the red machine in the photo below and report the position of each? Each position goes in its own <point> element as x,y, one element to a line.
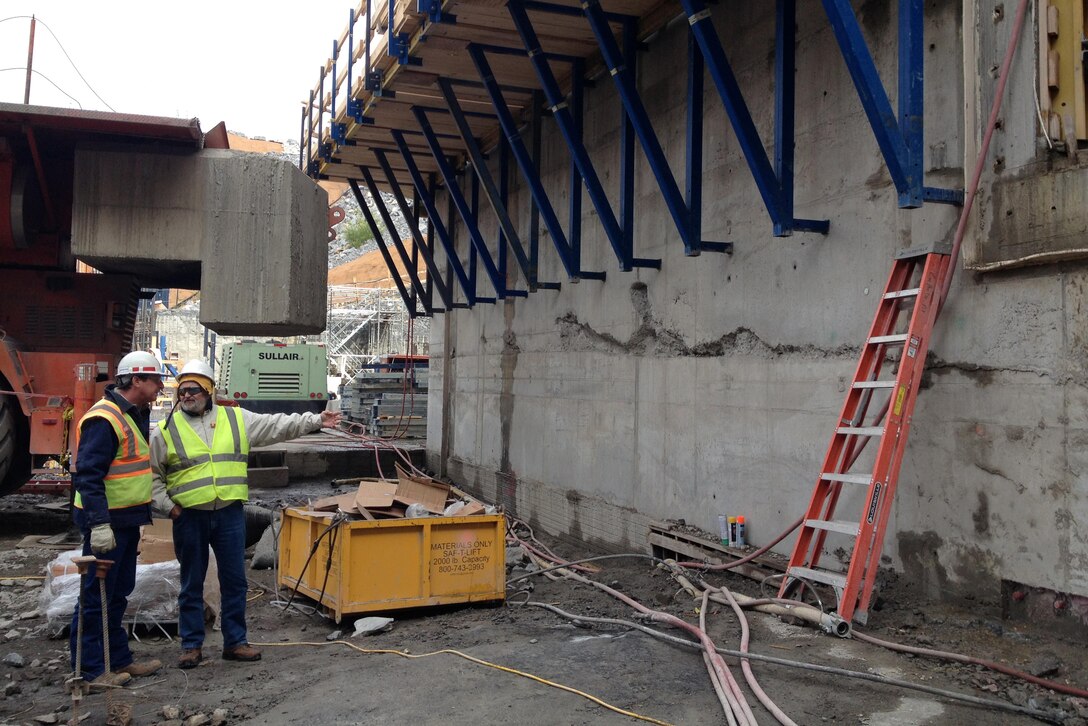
<point>245,63</point>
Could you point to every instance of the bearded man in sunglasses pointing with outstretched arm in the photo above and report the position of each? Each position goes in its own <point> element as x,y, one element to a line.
<point>200,457</point>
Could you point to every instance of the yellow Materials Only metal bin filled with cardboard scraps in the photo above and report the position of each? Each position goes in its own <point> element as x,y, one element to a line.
<point>390,564</point>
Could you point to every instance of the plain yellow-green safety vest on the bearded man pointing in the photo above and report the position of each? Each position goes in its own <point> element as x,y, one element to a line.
<point>199,475</point>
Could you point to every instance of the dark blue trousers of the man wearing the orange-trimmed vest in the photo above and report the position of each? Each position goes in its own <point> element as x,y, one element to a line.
<point>120,582</point>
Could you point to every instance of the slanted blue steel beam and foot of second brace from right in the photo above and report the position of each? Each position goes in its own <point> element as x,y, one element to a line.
<point>771,189</point>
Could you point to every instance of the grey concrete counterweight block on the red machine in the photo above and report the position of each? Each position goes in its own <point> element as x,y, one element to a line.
<point>251,231</point>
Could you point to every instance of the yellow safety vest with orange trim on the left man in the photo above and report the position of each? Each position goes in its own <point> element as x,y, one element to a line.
<point>129,481</point>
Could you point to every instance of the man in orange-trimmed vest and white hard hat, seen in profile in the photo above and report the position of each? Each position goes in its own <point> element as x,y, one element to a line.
<point>113,485</point>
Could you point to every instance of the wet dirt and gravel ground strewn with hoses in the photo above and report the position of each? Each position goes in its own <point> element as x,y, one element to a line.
<point>310,675</point>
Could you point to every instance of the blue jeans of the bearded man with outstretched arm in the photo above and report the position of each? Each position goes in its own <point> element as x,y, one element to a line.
<point>225,531</point>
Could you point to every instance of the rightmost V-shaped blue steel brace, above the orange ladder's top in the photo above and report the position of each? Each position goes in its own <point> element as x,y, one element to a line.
<point>900,139</point>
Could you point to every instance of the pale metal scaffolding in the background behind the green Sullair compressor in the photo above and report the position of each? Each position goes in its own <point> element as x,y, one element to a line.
<point>366,324</point>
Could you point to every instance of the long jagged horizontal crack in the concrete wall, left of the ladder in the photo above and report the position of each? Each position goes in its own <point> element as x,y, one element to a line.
<point>652,339</point>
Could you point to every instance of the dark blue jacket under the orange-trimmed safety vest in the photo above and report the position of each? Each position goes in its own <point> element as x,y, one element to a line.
<point>98,446</point>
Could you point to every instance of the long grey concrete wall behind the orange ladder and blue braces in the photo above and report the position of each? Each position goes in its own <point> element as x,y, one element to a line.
<point>712,387</point>
